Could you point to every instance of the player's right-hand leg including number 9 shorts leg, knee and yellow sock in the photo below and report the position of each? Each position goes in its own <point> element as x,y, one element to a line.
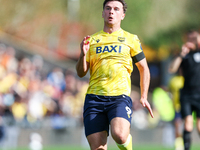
<point>119,114</point>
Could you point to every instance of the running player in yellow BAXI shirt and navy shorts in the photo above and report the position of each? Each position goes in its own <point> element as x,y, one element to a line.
<point>109,54</point>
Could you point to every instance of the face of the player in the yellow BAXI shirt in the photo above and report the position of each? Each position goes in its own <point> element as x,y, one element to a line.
<point>113,13</point>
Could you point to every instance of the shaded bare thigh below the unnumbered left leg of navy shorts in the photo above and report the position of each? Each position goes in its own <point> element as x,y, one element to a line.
<point>98,140</point>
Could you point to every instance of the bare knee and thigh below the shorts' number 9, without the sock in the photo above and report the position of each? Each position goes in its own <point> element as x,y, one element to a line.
<point>120,129</point>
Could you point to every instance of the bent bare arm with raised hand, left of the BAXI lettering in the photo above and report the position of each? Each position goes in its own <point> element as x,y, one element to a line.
<point>82,65</point>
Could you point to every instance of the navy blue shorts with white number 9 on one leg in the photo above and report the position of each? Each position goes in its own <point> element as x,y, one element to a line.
<point>100,110</point>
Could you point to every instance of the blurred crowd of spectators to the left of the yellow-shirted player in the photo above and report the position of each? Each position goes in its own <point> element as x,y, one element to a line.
<point>29,94</point>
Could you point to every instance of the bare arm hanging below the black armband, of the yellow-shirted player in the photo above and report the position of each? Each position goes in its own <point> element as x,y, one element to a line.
<point>144,83</point>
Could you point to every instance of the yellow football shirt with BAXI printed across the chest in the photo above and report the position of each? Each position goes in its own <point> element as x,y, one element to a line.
<point>110,59</point>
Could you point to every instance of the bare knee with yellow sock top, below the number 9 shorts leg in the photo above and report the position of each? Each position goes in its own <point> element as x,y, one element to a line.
<point>120,130</point>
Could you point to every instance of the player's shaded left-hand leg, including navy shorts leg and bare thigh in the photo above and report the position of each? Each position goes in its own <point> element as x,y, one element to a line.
<point>96,123</point>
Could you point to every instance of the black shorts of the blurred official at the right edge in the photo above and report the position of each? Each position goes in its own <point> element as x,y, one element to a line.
<point>190,102</point>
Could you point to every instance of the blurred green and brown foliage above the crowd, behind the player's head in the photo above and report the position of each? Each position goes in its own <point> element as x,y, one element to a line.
<point>60,25</point>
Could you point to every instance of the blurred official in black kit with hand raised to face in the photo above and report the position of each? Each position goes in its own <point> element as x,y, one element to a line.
<point>189,63</point>
